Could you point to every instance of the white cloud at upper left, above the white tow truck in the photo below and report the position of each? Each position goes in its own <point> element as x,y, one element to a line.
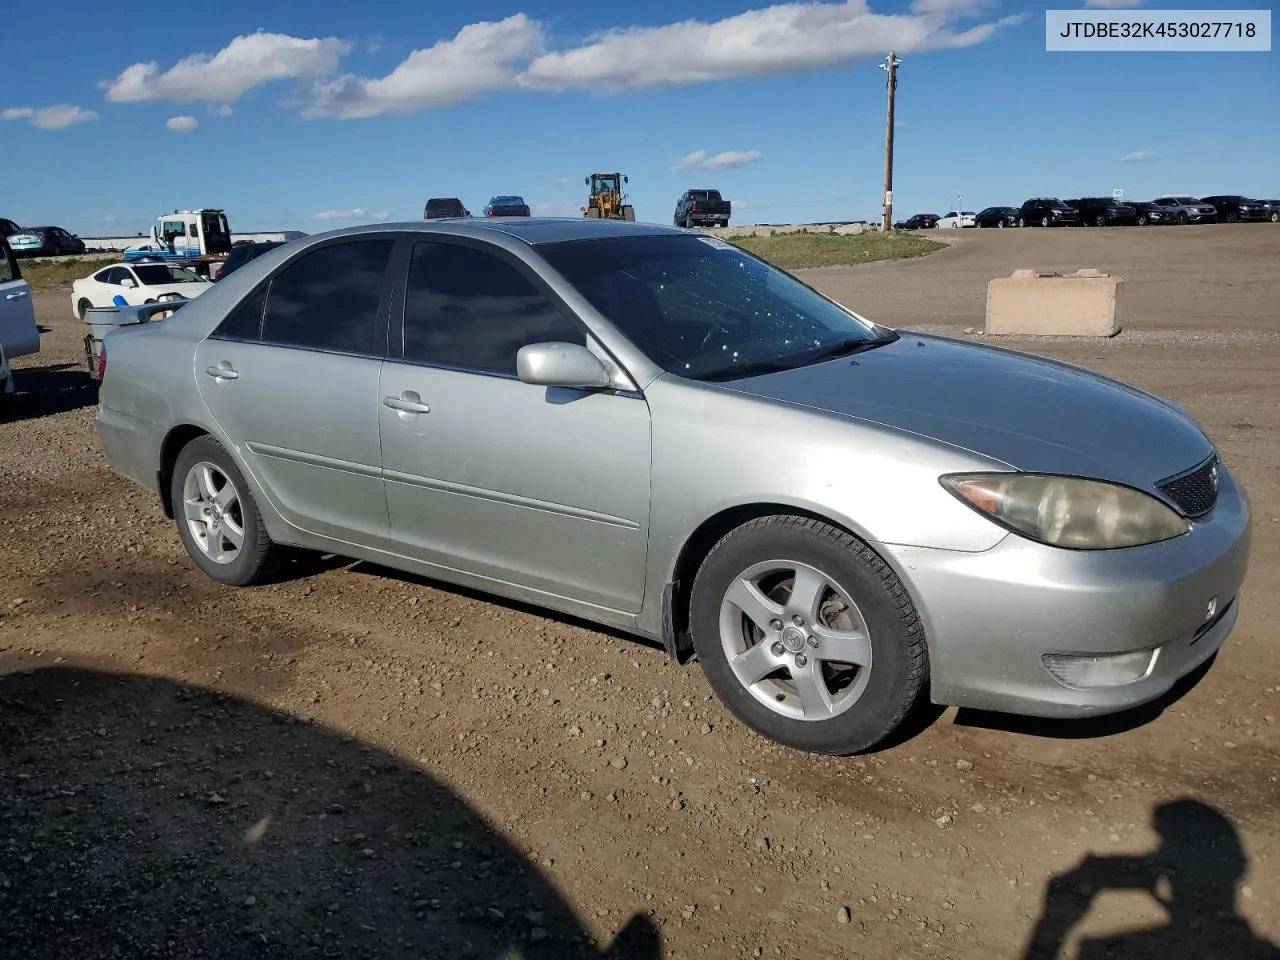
<point>244,65</point>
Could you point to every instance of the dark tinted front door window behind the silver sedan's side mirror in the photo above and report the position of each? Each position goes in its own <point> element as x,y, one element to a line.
<point>470,309</point>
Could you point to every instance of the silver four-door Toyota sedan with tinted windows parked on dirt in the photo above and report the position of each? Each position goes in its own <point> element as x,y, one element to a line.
<point>659,432</point>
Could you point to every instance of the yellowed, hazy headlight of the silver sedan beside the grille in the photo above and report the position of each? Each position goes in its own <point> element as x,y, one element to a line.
<point>1063,511</point>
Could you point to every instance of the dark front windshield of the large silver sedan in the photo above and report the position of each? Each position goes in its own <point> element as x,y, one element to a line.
<point>706,310</point>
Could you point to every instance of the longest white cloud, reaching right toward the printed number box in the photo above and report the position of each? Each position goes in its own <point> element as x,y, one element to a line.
<point>771,42</point>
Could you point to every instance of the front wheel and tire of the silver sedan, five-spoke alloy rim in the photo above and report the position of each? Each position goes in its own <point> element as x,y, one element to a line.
<point>807,636</point>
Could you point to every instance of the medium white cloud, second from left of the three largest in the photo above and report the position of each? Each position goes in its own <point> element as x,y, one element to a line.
<point>483,58</point>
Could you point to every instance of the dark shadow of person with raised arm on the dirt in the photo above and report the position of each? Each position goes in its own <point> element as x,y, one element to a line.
<point>1194,875</point>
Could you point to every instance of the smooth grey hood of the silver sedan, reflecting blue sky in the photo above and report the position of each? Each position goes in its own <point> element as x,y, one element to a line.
<point>1034,414</point>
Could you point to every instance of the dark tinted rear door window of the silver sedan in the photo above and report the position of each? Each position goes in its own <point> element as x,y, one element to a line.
<point>328,299</point>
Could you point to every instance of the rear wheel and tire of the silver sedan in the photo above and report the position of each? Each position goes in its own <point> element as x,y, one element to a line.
<point>217,516</point>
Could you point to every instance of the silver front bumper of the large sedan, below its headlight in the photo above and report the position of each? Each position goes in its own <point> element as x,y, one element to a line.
<point>991,618</point>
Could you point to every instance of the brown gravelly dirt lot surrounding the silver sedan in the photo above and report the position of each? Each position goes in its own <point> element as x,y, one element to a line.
<point>358,764</point>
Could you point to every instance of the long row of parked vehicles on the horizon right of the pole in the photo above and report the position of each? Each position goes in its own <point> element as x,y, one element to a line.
<point>1105,212</point>
